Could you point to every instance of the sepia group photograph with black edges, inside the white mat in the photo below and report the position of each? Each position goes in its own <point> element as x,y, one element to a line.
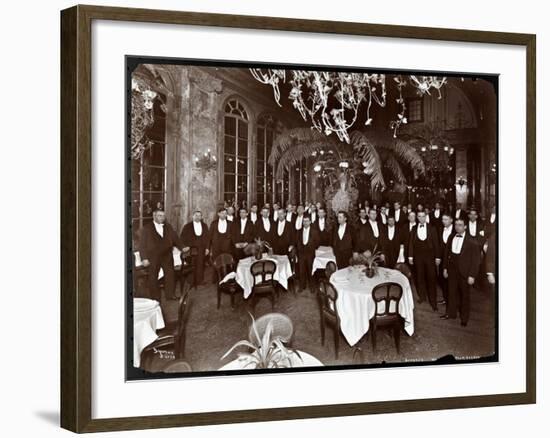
<point>298,218</point>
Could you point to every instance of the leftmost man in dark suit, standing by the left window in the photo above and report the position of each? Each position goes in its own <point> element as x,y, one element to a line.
<point>157,241</point>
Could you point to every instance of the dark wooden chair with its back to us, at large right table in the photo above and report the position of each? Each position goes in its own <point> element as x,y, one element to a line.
<point>386,297</point>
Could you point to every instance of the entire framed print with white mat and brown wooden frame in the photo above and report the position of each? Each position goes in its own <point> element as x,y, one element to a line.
<point>303,218</point>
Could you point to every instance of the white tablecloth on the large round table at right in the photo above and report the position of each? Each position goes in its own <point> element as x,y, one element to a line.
<point>355,305</point>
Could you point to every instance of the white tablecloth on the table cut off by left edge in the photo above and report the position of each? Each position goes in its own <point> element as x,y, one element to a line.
<point>147,320</point>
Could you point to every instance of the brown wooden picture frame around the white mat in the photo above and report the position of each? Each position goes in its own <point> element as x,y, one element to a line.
<point>76,218</point>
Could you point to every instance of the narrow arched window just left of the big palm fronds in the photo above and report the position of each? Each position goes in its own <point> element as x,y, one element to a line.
<point>265,181</point>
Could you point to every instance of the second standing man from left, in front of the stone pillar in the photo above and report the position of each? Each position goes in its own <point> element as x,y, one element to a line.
<point>195,235</point>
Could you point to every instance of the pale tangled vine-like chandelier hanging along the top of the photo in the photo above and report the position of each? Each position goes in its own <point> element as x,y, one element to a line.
<point>331,100</point>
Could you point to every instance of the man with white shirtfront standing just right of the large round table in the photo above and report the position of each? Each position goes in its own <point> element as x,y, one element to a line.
<point>424,255</point>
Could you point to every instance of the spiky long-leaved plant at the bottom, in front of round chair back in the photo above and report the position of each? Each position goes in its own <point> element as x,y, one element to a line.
<point>267,352</point>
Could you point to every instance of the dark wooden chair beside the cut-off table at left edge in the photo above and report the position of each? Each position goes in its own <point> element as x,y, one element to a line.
<point>170,345</point>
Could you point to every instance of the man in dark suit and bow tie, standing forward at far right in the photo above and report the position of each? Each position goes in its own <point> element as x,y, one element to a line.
<point>460,266</point>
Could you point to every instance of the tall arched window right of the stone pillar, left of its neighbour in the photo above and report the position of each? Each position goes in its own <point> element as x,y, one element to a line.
<point>235,153</point>
